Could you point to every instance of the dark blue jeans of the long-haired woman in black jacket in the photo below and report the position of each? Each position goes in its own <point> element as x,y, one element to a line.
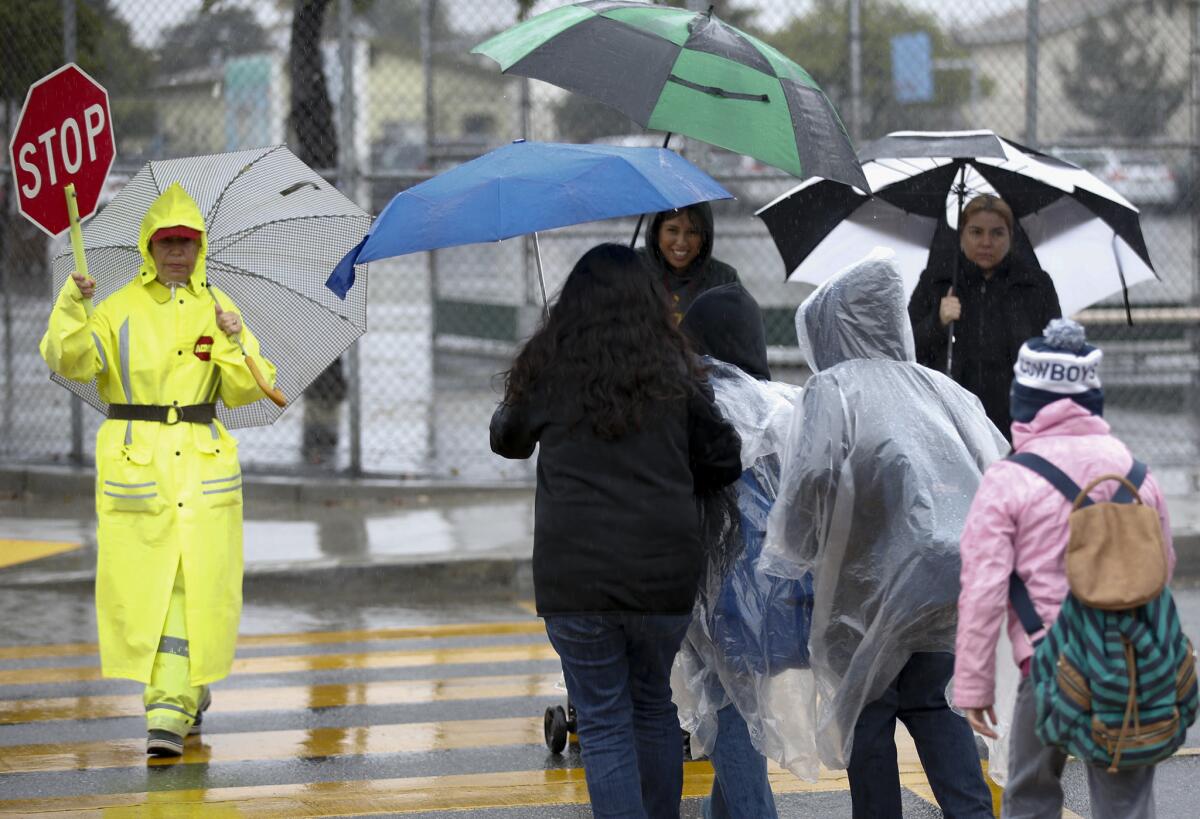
<point>619,677</point>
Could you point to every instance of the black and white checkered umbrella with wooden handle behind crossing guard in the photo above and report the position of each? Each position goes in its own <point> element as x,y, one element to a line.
<point>275,230</point>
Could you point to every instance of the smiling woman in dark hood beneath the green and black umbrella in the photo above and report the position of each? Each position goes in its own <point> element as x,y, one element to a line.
<point>680,253</point>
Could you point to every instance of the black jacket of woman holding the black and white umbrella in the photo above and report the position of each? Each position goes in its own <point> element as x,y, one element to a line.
<point>999,315</point>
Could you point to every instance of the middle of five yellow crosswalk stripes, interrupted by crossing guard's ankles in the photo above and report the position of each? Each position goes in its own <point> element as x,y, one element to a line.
<point>295,698</point>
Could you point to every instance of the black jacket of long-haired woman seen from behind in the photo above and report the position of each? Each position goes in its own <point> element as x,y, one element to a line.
<point>616,524</point>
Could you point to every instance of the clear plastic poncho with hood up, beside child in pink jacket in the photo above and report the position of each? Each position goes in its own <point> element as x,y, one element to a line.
<point>879,473</point>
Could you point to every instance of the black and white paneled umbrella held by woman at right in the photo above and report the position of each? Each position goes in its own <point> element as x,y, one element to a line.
<point>1085,235</point>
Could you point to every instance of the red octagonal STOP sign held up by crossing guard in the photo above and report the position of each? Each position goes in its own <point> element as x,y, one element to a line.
<point>64,136</point>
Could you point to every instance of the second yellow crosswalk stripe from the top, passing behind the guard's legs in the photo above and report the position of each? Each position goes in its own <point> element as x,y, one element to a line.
<point>296,663</point>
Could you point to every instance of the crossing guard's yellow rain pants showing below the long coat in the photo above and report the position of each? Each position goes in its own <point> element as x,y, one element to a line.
<point>172,701</point>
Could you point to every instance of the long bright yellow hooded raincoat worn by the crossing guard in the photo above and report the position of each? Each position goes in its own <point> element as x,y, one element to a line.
<point>167,495</point>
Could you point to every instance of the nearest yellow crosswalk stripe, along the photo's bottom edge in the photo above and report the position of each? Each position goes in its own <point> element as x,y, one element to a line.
<point>471,792</point>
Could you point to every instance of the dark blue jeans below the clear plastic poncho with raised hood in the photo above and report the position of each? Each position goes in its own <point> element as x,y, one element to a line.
<point>944,740</point>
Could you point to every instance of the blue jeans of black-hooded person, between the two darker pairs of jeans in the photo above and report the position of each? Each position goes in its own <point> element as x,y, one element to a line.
<point>741,790</point>
